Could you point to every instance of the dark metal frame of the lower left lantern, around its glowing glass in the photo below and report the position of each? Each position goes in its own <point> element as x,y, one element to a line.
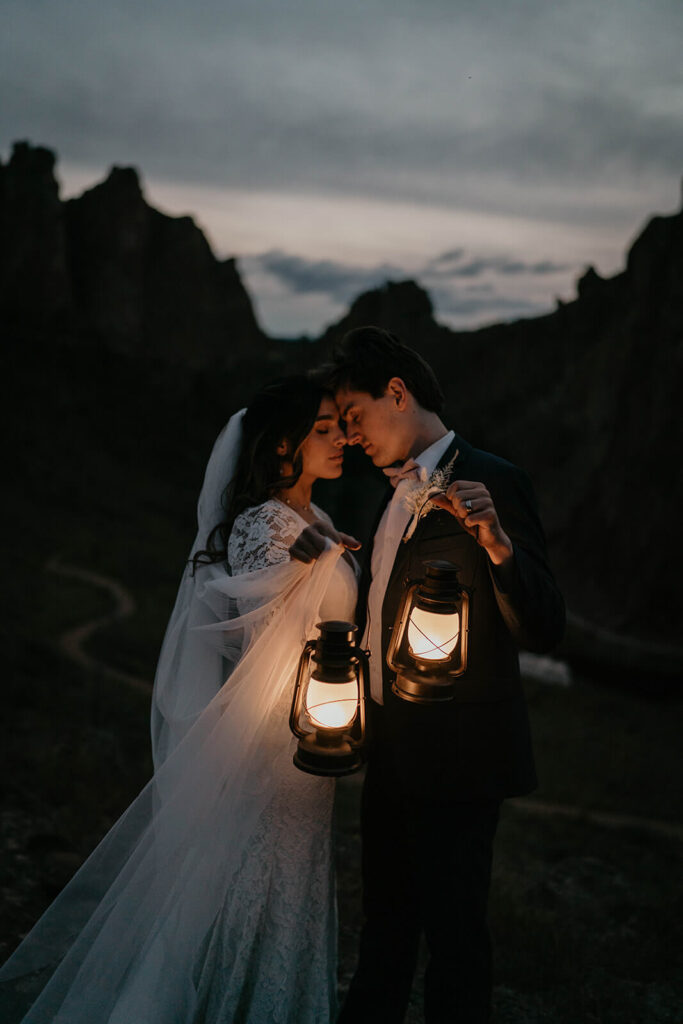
<point>331,751</point>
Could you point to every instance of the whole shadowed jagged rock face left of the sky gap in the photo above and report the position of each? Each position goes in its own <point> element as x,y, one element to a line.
<point>109,267</point>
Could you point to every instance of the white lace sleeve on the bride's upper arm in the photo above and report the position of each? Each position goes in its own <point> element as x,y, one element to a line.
<point>262,537</point>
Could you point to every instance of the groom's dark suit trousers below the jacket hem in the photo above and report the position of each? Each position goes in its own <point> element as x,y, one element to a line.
<point>426,868</point>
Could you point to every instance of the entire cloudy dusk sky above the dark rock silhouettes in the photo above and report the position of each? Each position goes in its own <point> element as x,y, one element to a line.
<point>491,149</point>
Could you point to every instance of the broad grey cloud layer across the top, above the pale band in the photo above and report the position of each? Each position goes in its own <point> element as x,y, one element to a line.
<point>544,110</point>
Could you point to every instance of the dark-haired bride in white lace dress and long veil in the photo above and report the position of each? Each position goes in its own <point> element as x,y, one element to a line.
<point>212,899</point>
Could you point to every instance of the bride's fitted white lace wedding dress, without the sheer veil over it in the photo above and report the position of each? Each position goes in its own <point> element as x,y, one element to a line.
<point>273,957</point>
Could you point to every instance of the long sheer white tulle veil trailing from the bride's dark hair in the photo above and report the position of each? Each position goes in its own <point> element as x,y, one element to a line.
<point>122,943</point>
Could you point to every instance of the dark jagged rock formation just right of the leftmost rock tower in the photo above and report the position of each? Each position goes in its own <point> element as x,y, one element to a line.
<point>148,282</point>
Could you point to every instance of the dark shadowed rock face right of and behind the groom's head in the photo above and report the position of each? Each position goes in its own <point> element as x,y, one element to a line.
<point>587,401</point>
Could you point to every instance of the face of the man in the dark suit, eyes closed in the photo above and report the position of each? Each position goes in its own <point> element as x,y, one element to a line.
<point>376,424</point>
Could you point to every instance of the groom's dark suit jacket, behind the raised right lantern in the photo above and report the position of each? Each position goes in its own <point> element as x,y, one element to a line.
<point>479,746</point>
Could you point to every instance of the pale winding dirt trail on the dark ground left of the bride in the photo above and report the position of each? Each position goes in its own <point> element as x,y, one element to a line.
<point>73,642</point>
